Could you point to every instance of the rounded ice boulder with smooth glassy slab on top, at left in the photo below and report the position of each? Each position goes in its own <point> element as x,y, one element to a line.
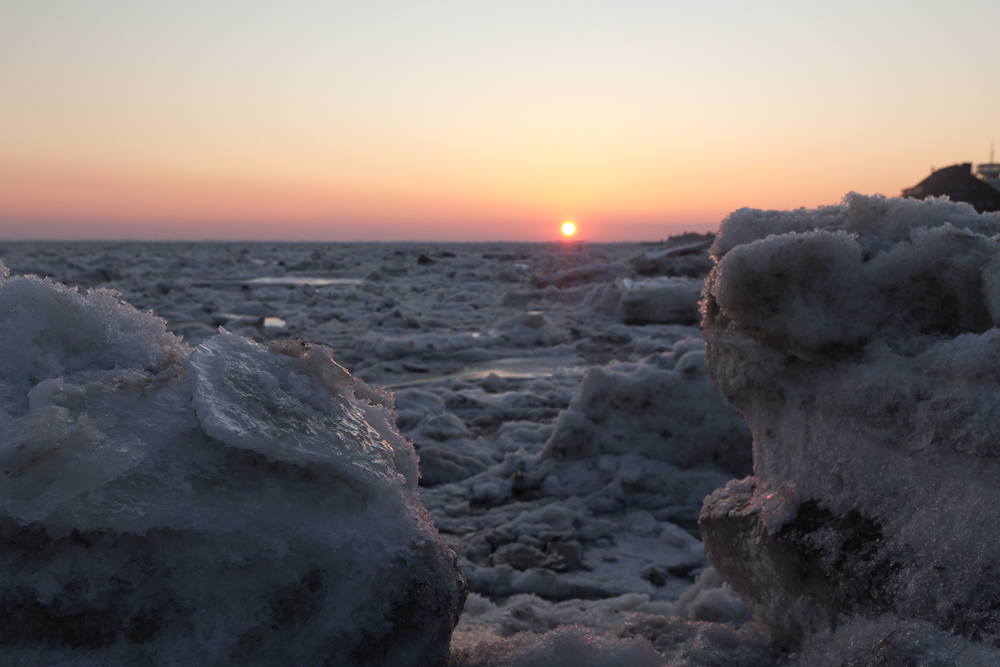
<point>227,505</point>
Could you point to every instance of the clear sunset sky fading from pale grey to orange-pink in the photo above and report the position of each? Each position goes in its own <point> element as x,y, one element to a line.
<point>475,120</point>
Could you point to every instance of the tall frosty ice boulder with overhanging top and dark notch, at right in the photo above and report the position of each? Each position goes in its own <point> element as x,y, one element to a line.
<point>861,343</point>
